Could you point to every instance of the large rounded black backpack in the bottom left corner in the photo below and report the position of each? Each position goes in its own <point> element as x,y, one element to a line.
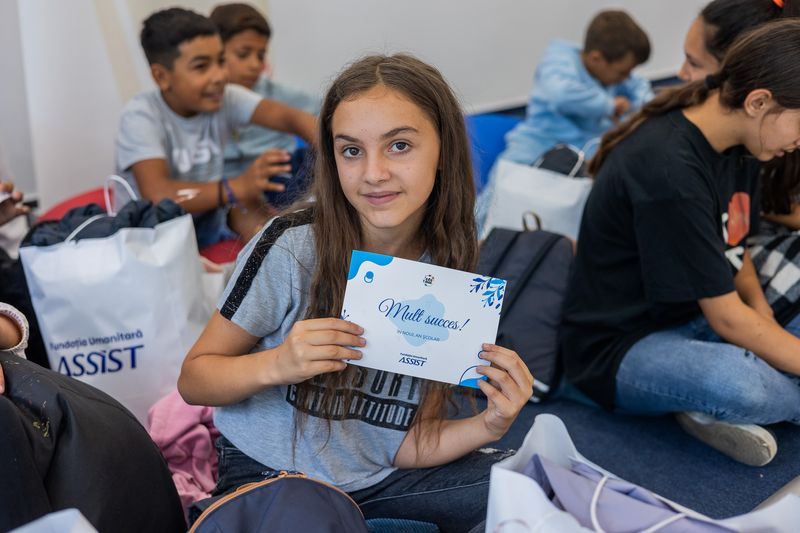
<point>67,444</point>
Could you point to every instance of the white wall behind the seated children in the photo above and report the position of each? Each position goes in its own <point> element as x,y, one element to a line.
<point>78,61</point>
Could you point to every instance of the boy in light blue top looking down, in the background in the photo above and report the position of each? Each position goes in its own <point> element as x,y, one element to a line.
<point>579,93</point>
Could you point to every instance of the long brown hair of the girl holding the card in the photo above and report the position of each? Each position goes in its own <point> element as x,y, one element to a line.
<point>447,231</point>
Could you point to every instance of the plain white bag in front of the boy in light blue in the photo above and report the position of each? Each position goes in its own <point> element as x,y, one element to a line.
<point>557,199</point>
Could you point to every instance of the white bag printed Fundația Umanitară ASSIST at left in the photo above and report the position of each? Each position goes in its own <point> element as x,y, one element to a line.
<point>121,312</point>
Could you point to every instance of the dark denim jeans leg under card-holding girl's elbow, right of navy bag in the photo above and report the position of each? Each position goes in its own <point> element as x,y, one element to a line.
<point>453,496</point>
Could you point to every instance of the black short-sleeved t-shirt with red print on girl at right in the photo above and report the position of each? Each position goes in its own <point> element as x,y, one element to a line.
<point>664,226</point>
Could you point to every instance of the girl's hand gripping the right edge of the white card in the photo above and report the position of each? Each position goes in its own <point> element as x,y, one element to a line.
<point>509,387</point>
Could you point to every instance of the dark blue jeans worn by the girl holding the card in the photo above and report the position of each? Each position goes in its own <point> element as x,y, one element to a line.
<point>452,496</point>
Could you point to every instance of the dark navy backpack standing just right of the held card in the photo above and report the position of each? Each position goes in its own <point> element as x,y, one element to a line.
<point>536,265</point>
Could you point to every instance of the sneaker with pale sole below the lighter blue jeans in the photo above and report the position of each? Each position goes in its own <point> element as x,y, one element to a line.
<point>747,443</point>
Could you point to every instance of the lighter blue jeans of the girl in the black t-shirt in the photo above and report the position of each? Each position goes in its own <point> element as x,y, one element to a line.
<point>690,368</point>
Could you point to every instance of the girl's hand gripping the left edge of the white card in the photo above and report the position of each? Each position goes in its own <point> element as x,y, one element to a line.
<point>317,346</point>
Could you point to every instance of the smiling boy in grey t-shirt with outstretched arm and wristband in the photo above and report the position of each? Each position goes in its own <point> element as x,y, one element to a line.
<point>171,140</point>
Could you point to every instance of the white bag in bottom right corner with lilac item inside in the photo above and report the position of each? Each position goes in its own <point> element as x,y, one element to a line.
<point>518,504</point>
